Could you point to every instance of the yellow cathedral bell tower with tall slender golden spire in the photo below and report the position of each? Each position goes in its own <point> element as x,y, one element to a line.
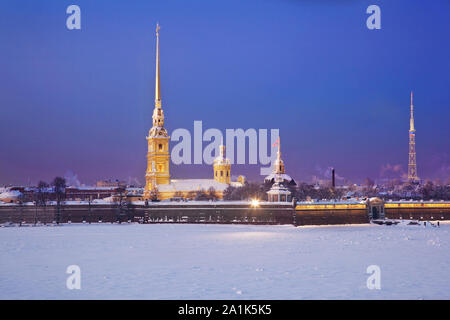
<point>158,156</point>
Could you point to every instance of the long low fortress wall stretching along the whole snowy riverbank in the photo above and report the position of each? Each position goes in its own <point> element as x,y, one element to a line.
<point>215,212</point>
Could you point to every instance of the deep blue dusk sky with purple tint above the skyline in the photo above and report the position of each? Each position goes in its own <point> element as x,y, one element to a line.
<point>339,93</point>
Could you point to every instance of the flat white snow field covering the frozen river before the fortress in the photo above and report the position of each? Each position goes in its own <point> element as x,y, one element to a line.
<point>132,261</point>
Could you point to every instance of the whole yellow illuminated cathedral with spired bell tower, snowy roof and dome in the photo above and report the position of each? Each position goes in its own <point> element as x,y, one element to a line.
<point>157,176</point>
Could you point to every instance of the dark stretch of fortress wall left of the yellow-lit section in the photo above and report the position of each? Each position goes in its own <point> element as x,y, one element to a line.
<point>208,212</point>
